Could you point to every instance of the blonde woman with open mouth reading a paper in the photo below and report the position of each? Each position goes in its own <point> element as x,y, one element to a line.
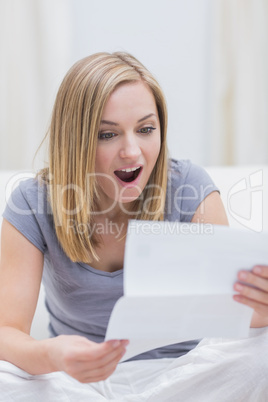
<point>108,163</point>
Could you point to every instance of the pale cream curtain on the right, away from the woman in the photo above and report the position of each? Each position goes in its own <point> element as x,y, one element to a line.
<point>239,77</point>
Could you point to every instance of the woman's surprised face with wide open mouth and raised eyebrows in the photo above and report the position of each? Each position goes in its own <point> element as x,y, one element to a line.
<point>128,143</point>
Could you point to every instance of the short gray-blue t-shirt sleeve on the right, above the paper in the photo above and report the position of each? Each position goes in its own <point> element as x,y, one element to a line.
<point>188,186</point>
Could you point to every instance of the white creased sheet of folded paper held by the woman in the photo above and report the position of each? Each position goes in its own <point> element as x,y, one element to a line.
<point>178,283</point>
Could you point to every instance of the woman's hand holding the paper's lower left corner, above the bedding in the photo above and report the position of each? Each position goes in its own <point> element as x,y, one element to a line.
<point>84,360</point>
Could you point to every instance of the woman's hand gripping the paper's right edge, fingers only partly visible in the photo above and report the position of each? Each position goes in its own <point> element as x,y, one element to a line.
<point>254,293</point>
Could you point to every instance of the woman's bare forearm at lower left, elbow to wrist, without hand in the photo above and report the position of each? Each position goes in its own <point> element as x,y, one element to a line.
<point>25,352</point>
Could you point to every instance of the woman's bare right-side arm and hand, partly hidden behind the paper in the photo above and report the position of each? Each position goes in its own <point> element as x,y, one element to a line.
<point>211,210</point>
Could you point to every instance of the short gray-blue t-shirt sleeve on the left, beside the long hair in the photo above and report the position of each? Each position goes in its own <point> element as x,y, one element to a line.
<point>23,212</point>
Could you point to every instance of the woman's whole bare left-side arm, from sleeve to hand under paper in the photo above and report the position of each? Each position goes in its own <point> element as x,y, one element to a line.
<point>21,268</point>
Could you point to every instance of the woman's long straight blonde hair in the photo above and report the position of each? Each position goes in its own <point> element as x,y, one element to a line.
<point>72,148</point>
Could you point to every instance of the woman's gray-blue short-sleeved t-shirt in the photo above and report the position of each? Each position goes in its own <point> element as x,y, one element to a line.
<point>79,298</point>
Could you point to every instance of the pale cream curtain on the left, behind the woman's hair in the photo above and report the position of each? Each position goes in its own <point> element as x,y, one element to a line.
<point>35,52</point>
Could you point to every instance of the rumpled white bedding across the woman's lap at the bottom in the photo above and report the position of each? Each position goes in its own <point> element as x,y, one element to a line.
<point>216,370</point>
